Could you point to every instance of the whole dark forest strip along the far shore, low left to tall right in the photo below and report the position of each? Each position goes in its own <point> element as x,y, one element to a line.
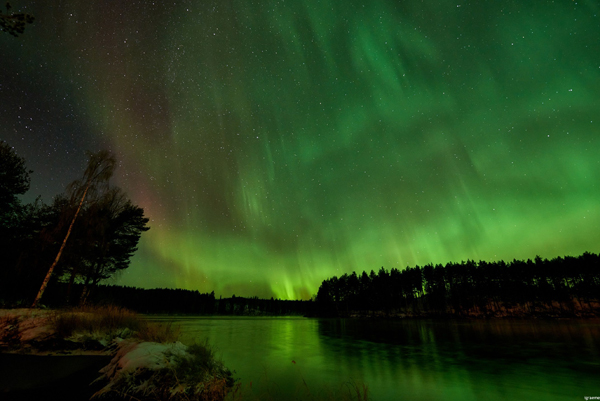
<point>561,287</point>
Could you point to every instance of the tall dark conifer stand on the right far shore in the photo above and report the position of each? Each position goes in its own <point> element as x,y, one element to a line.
<point>563,286</point>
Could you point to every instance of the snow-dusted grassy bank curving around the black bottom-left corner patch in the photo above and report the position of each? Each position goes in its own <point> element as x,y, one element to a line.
<point>149,363</point>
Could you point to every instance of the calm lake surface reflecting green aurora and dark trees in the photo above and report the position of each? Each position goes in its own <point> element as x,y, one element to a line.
<point>409,360</point>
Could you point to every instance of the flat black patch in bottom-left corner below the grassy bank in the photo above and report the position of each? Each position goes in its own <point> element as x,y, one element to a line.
<point>31,377</point>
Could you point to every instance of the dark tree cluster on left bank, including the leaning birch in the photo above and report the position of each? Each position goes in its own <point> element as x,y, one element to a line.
<point>86,235</point>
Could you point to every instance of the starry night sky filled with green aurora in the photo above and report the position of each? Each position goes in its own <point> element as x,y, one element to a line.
<point>274,144</point>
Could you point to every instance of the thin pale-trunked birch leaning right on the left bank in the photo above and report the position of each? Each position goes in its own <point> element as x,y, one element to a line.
<point>100,168</point>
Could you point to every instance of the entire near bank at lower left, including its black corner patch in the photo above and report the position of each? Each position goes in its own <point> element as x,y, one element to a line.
<point>61,352</point>
